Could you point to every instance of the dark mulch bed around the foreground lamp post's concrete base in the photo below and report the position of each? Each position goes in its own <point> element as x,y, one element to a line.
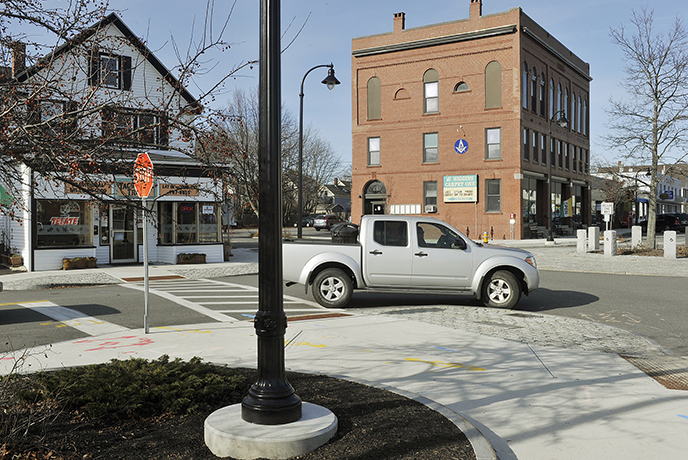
<point>373,424</point>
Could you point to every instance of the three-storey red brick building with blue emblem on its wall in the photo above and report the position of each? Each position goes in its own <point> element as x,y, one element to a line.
<point>470,121</point>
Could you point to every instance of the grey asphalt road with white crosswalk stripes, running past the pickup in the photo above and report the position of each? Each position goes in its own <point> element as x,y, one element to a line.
<point>648,305</point>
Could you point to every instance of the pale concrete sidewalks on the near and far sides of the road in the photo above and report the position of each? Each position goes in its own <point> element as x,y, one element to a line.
<point>525,401</point>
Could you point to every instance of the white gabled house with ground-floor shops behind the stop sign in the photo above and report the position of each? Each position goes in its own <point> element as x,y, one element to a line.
<point>132,95</point>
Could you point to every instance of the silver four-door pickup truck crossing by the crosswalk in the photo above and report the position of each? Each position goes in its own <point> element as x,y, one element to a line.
<point>412,254</point>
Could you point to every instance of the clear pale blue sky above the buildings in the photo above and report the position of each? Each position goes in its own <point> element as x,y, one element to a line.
<point>583,26</point>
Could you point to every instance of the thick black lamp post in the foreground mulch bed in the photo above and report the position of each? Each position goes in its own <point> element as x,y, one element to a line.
<point>271,399</point>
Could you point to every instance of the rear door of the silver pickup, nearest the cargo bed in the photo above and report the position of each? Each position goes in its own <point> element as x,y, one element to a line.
<point>387,258</point>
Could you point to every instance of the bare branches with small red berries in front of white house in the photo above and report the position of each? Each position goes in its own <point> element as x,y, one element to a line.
<point>60,120</point>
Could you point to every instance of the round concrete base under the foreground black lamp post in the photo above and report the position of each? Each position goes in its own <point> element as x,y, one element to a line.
<point>228,435</point>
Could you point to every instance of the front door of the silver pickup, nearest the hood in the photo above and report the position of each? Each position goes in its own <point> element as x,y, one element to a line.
<point>438,260</point>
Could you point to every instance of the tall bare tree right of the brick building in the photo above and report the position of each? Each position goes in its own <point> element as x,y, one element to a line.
<point>651,125</point>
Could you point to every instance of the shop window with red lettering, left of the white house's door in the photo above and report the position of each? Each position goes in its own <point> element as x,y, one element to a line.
<point>64,223</point>
